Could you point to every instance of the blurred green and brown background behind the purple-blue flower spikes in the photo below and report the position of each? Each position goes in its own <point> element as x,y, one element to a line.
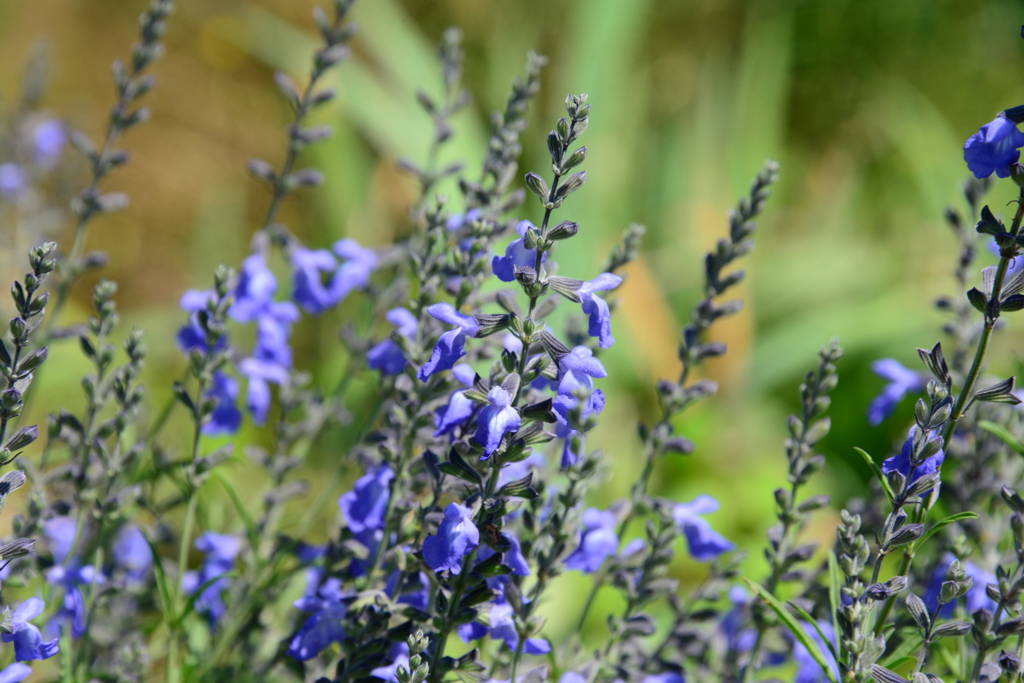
<point>867,104</point>
